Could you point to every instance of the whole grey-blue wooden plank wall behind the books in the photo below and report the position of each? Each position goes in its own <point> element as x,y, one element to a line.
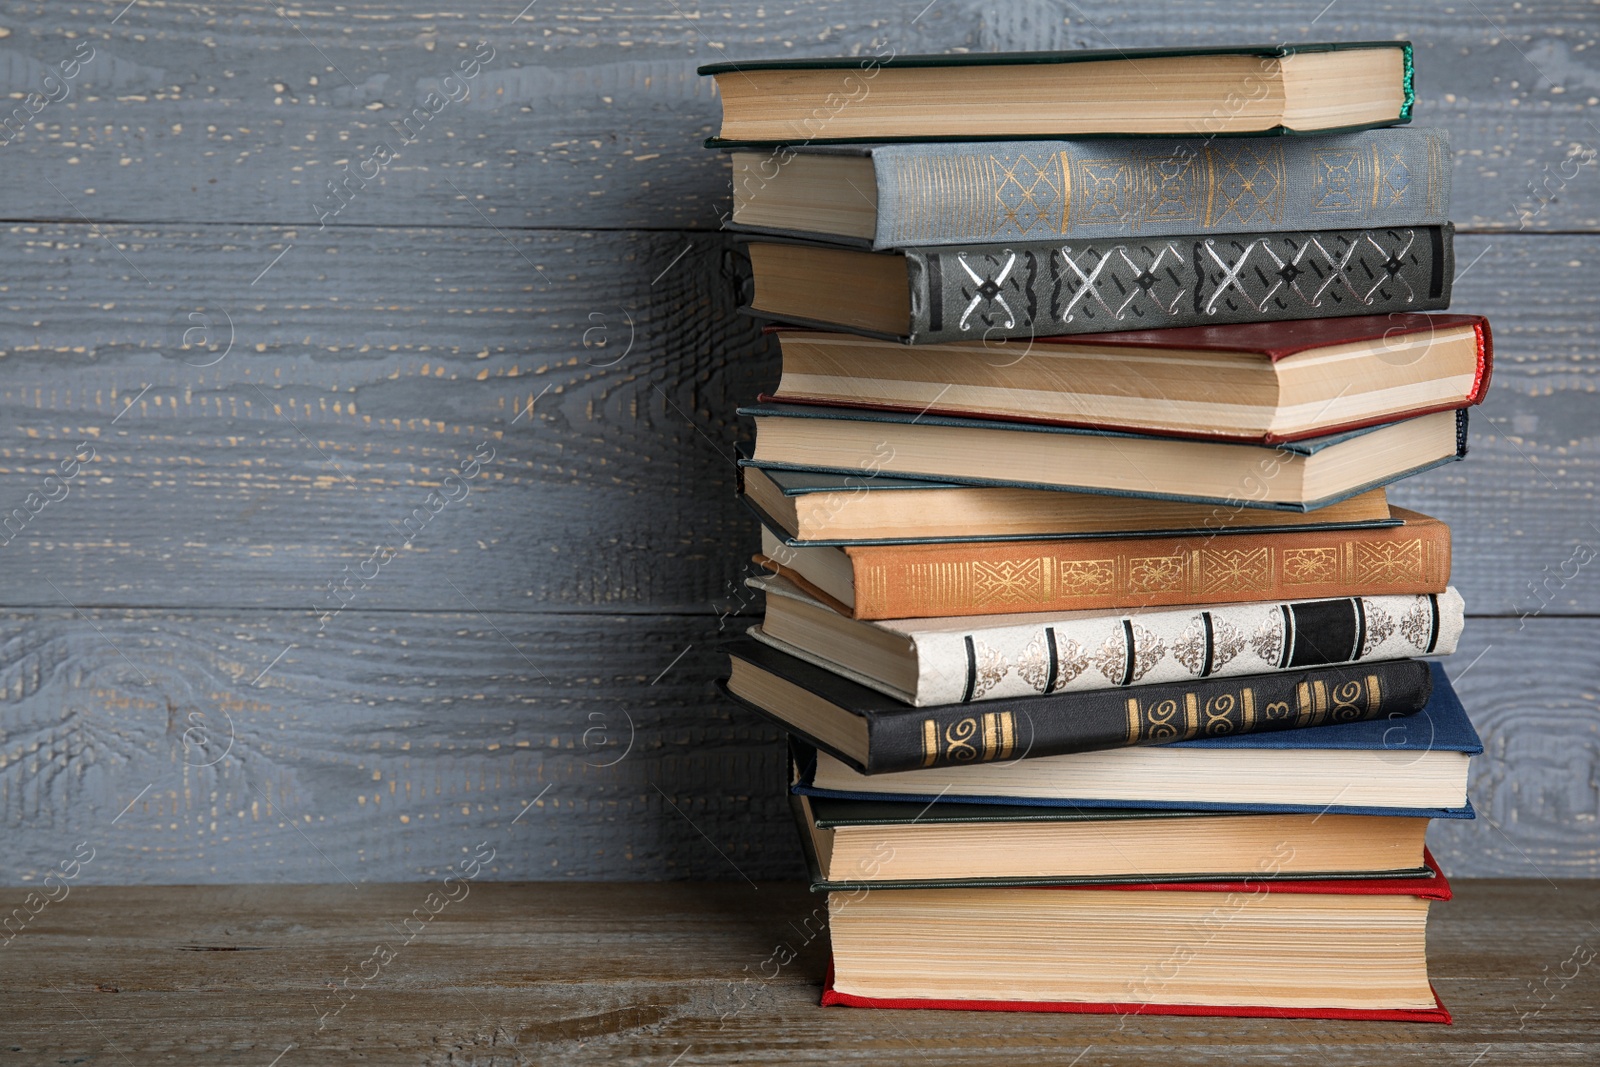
<point>257,386</point>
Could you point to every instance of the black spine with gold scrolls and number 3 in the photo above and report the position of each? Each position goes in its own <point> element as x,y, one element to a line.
<point>1158,714</point>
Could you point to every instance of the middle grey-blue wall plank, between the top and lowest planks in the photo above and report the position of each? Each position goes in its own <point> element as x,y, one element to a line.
<point>359,380</point>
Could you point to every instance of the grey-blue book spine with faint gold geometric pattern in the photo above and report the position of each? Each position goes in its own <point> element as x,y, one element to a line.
<point>970,194</point>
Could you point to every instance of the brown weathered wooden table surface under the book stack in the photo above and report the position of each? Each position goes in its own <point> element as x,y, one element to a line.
<point>676,975</point>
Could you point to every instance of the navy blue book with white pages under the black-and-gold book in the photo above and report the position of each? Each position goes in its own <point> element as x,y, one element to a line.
<point>1414,765</point>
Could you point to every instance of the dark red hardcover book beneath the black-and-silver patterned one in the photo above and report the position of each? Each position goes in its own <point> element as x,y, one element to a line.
<point>1265,382</point>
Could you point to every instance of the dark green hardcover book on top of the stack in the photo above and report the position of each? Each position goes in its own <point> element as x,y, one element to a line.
<point>983,97</point>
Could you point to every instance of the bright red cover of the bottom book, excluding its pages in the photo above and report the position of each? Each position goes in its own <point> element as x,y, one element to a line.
<point>1436,889</point>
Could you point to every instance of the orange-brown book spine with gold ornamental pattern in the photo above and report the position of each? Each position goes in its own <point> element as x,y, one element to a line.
<point>1001,578</point>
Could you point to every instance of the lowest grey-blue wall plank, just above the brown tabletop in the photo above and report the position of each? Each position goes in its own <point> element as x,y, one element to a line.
<point>246,746</point>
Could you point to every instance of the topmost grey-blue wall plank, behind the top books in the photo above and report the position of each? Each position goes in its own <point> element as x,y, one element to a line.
<point>594,118</point>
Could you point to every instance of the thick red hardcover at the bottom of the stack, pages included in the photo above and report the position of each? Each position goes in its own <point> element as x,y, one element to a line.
<point>1334,949</point>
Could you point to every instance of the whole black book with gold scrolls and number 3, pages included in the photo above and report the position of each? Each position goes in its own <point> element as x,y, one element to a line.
<point>874,733</point>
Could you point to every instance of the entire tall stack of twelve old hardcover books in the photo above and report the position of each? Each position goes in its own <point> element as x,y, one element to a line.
<point>1100,642</point>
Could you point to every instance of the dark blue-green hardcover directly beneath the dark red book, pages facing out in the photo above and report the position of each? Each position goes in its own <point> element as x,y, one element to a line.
<point>1292,476</point>
